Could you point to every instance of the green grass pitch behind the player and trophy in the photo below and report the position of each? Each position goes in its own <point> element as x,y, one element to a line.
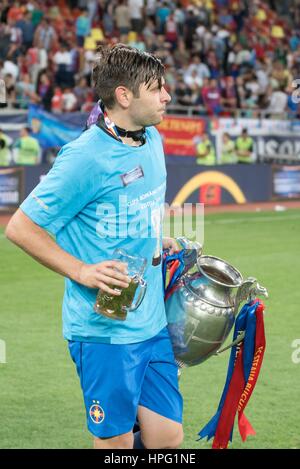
<point>40,399</point>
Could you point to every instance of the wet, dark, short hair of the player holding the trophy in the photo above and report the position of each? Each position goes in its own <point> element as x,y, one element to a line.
<point>122,65</point>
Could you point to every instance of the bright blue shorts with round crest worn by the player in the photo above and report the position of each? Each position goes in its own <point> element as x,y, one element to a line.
<point>116,379</point>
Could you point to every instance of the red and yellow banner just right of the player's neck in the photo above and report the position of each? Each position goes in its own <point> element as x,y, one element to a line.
<point>180,134</point>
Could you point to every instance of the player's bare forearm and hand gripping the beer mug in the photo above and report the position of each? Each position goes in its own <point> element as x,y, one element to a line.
<point>34,240</point>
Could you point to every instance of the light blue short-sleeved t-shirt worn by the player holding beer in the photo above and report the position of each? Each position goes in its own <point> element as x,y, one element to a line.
<point>100,195</point>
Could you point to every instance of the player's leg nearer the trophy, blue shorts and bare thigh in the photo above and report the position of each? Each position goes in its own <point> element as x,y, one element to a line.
<point>160,405</point>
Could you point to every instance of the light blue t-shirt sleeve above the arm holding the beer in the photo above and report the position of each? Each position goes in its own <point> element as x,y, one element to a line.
<point>68,187</point>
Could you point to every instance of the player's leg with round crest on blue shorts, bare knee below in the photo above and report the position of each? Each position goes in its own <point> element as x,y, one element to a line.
<point>111,377</point>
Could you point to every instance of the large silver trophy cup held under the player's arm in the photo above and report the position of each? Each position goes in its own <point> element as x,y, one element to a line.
<point>201,310</point>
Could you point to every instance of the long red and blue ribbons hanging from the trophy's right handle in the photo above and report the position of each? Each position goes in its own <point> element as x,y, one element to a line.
<point>243,370</point>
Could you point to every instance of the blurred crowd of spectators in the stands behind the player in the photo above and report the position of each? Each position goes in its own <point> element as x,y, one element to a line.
<point>220,55</point>
